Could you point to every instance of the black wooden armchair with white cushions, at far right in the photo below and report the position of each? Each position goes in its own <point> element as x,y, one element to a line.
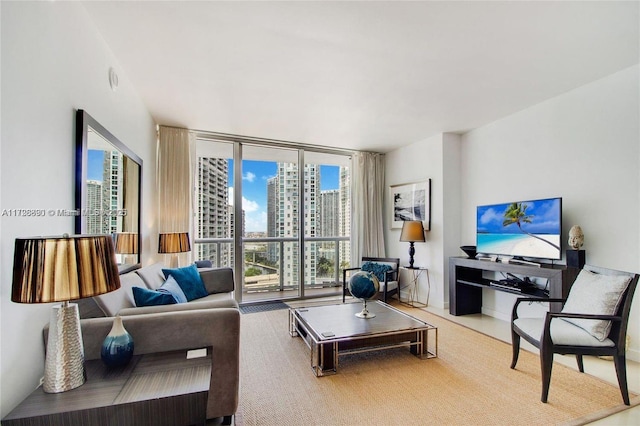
<point>593,321</point>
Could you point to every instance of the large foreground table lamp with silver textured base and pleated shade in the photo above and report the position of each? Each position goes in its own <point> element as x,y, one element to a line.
<point>60,269</point>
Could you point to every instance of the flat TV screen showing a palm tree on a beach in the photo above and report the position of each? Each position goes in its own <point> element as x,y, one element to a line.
<point>521,229</point>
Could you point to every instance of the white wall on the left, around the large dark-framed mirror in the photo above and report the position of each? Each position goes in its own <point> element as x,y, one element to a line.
<point>53,62</point>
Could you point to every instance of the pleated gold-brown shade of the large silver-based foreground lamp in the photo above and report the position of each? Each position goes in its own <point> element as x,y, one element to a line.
<point>63,268</point>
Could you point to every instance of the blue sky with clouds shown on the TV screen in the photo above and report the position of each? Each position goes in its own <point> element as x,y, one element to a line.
<point>546,216</point>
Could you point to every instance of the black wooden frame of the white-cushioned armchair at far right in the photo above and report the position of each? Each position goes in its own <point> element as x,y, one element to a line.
<point>547,348</point>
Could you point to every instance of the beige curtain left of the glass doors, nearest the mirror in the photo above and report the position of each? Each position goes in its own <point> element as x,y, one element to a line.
<point>174,180</point>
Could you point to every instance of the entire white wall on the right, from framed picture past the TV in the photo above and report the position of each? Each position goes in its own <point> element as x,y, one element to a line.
<point>583,146</point>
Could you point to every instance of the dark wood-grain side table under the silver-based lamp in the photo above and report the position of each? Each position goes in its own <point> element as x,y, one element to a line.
<point>153,389</point>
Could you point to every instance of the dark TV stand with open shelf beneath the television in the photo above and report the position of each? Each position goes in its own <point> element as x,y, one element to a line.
<point>466,282</point>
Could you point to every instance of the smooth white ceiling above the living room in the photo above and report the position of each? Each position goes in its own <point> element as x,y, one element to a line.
<point>360,75</point>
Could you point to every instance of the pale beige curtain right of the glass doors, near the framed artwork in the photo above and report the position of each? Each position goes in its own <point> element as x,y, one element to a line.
<point>367,205</point>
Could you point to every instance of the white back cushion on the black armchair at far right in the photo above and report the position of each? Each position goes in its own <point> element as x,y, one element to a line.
<point>595,294</point>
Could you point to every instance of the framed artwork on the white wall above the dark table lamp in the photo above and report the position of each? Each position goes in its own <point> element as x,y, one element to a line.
<point>410,201</point>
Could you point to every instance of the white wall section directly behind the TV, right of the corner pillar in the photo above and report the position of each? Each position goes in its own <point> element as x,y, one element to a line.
<point>582,146</point>
